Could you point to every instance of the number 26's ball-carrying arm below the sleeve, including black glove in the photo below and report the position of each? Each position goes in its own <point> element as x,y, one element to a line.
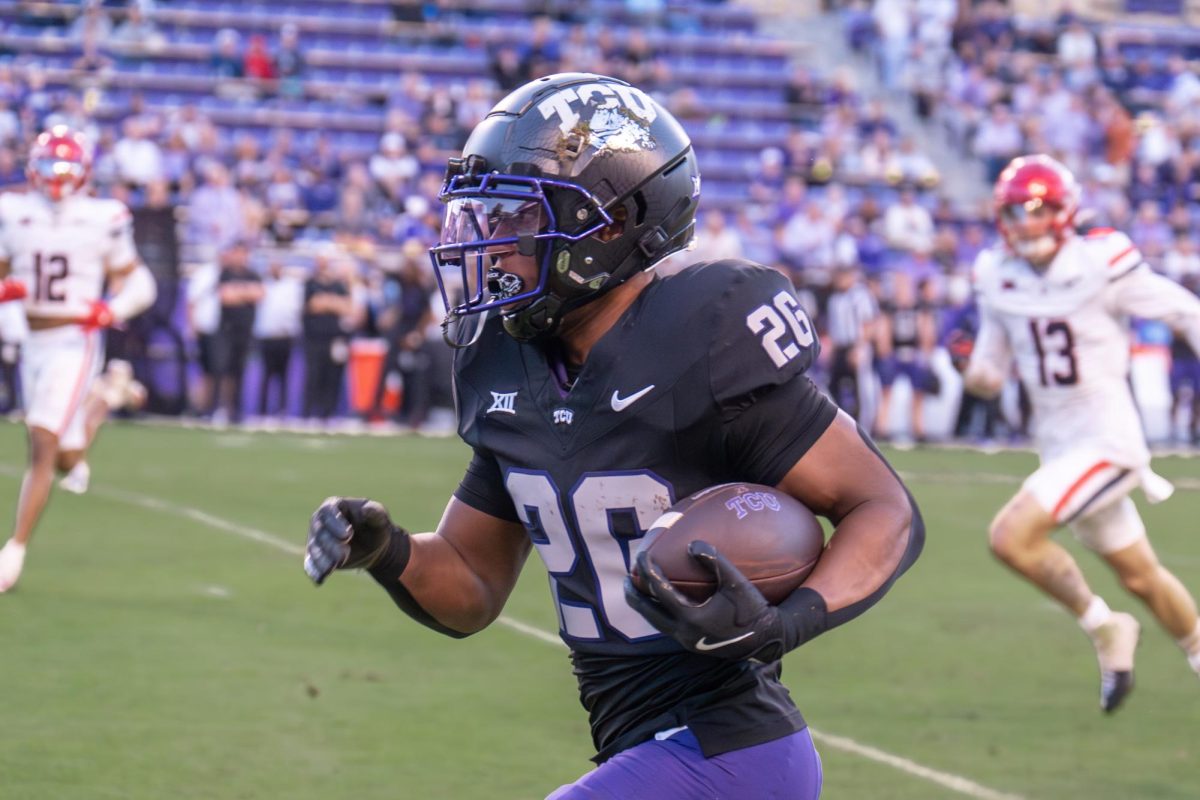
<point>879,534</point>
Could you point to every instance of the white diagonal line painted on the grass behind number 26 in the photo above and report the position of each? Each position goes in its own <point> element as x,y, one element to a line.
<point>947,780</point>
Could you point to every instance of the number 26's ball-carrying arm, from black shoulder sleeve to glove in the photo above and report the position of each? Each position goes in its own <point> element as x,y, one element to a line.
<point>782,431</point>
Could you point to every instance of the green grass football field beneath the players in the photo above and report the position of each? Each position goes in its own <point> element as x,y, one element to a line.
<point>166,645</point>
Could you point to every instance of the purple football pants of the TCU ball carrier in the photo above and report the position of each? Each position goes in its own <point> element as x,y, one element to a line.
<point>675,769</point>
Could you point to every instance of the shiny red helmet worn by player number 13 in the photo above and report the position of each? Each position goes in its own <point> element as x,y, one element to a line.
<point>1036,201</point>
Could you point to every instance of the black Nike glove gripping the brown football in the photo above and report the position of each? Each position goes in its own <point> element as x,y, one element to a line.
<point>736,623</point>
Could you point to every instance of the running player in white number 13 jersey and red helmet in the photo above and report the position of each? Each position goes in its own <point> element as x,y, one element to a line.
<point>1058,304</point>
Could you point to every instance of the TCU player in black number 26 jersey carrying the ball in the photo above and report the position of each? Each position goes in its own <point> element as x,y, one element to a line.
<point>595,395</point>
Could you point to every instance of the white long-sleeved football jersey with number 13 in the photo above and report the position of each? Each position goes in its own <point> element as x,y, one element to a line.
<point>1069,333</point>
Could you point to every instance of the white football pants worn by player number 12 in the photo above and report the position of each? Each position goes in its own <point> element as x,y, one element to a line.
<point>57,370</point>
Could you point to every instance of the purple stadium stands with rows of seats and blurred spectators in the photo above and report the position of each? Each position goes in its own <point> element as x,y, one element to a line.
<point>292,125</point>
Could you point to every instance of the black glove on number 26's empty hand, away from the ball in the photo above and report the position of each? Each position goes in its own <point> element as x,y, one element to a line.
<point>353,534</point>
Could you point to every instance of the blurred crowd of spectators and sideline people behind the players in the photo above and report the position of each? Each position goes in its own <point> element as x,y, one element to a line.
<point>293,240</point>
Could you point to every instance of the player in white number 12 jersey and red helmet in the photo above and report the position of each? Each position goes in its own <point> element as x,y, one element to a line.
<point>58,248</point>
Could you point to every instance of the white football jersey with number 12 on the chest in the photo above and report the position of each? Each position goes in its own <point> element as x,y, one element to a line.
<point>64,251</point>
